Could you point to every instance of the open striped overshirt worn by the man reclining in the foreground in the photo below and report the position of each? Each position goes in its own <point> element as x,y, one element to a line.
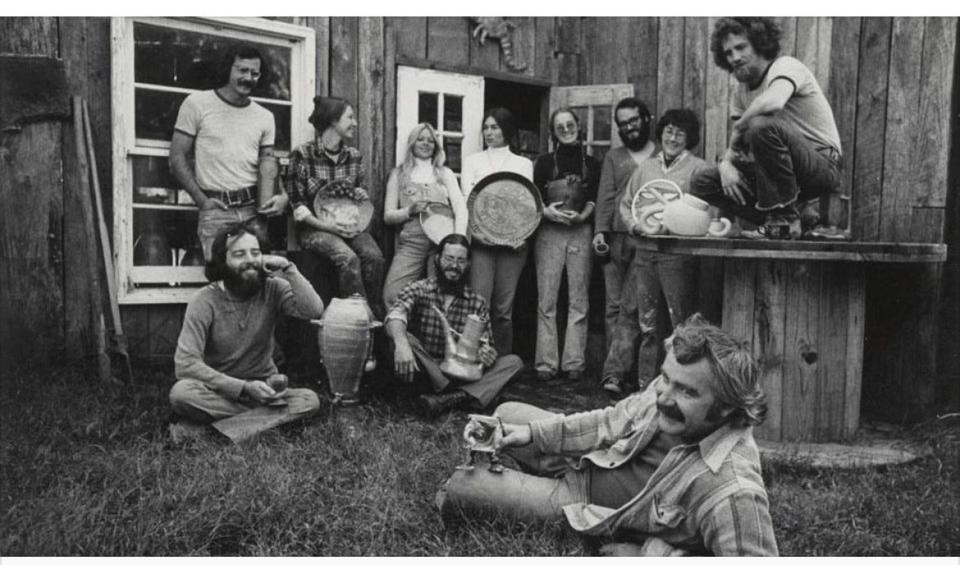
<point>704,498</point>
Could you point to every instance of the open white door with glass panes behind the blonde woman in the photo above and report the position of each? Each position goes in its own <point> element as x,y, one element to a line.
<point>450,102</point>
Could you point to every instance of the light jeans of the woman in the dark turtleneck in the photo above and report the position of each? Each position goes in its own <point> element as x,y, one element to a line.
<point>559,246</point>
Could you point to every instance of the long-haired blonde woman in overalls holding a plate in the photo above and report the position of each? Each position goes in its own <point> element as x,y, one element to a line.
<point>421,184</point>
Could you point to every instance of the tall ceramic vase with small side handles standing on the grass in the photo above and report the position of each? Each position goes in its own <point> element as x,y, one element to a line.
<point>346,341</point>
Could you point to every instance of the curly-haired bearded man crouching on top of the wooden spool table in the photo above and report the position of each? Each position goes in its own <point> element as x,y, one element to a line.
<point>784,151</point>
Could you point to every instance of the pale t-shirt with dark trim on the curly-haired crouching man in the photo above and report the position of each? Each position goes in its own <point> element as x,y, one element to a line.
<point>807,109</point>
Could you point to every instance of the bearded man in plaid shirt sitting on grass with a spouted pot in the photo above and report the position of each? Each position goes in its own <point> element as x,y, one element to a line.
<point>419,339</point>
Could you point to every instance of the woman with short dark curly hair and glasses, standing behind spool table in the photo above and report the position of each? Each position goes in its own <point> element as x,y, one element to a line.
<point>655,277</point>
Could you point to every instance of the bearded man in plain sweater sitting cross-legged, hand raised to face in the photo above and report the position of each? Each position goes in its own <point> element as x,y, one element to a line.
<point>225,350</point>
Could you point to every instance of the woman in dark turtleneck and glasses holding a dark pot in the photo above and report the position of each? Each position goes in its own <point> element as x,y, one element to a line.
<point>567,179</point>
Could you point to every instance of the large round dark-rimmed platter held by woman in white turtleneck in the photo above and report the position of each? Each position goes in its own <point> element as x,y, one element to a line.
<point>504,209</point>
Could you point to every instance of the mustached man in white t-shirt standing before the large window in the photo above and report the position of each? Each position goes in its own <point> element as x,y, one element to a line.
<point>229,139</point>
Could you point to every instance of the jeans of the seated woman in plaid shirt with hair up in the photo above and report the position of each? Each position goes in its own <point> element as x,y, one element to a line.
<point>358,261</point>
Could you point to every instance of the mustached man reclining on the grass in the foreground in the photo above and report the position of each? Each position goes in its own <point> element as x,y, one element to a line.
<point>673,470</point>
